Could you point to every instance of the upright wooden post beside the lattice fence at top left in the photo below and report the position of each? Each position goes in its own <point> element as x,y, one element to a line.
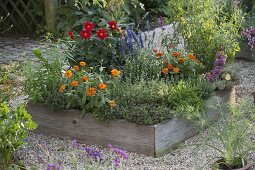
<point>50,7</point>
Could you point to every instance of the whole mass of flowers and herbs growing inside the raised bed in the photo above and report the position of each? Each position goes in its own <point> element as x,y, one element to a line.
<point>150,87</point>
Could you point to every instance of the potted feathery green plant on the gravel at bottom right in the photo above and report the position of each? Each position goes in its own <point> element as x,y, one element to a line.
<point>233,136</point>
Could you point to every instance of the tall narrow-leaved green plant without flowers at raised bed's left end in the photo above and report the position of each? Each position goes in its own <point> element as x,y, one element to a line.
<point>44,79</point>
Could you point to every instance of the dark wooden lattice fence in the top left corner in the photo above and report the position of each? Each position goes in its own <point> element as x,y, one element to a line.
<point>24,15</point>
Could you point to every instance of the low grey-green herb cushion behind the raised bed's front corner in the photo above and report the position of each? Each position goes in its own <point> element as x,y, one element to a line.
<point>143,102</point>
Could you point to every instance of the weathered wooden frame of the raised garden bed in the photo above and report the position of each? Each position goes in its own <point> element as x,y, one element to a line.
<point>149,140</point>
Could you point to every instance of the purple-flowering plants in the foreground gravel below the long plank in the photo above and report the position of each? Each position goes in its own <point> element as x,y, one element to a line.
<point>91,158</point>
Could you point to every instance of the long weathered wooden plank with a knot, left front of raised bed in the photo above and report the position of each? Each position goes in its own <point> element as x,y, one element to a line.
<point>68,124</point>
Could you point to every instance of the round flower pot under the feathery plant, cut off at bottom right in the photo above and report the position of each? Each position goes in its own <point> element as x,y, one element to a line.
<point>221,165</point>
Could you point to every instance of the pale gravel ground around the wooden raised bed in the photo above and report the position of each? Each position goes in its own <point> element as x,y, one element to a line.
<point>187,158</point>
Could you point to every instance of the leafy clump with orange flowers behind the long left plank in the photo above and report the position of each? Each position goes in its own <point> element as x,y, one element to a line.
<point>78,97</point>
